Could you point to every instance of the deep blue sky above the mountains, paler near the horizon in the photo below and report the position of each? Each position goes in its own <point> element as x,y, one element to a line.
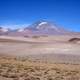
<point>65,13</point>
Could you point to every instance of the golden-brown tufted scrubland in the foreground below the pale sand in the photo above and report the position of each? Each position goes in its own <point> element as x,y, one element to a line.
<point>26,69</point>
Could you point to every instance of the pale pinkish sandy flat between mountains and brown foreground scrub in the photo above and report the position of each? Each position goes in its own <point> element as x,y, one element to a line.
<point>51,48</point>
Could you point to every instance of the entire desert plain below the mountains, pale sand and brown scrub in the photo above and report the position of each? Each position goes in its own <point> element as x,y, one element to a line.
<point>39,58</point>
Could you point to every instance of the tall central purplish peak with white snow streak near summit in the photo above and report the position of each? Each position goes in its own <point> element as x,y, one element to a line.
<point>45,27</point>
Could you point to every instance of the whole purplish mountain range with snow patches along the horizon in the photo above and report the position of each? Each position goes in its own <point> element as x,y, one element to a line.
<point>41,27</point>
